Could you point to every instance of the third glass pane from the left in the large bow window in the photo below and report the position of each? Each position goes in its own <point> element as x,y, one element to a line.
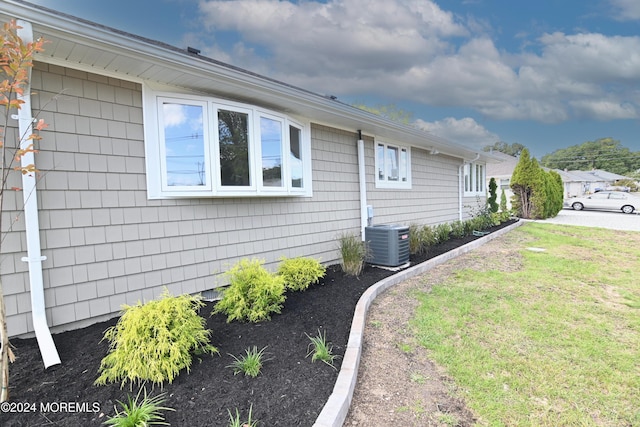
<point>271,140</point>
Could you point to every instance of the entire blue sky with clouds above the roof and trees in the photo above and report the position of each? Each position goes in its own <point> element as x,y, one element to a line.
<point>547,74</point>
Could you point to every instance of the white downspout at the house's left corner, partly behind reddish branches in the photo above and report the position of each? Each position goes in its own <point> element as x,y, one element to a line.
<point>32,227</point>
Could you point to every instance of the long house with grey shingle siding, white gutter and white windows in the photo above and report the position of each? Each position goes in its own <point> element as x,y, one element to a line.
<point>163,168</point>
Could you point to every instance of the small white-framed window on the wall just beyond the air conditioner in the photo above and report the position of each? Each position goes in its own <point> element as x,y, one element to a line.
<point>393,166</point>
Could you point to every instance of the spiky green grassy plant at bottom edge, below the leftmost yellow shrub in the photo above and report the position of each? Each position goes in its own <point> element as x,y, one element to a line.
<point>139,413</point>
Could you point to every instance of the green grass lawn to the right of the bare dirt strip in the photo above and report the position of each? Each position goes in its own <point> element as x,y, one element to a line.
<point>554,341</point>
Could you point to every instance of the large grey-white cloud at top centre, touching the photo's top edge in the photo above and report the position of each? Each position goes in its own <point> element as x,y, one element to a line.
<point>339,37</point>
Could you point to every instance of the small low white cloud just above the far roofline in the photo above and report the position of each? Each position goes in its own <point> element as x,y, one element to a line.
<point>464,131</point>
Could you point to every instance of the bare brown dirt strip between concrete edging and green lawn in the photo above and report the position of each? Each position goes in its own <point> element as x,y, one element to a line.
<point>397,382</point>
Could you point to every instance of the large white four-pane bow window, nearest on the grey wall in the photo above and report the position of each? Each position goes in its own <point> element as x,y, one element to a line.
<point>204,147</point>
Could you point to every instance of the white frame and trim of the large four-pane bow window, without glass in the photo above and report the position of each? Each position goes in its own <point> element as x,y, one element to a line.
<point>157,187</point>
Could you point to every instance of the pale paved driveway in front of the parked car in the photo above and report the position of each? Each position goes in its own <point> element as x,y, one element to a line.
<point>613,220</point>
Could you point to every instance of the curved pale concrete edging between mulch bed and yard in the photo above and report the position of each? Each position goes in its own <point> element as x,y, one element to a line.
<point>335,410</point>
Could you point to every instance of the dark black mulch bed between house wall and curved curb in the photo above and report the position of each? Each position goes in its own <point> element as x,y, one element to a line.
<point>290,391</point>
